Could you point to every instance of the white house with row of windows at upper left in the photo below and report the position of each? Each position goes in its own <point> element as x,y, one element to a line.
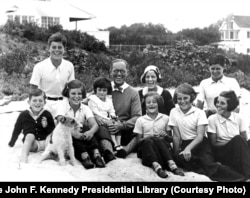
<point>46,13</point>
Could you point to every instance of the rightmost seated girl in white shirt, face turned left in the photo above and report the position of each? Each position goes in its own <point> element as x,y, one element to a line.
<point>227,132</point>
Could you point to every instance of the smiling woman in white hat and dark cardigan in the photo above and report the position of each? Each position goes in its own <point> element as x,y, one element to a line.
<point>151,77</point>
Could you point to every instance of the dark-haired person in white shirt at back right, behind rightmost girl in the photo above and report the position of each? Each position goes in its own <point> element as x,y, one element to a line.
<point>213,86</point>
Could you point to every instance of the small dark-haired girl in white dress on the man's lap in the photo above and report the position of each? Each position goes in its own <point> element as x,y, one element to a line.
<point>102,106</point>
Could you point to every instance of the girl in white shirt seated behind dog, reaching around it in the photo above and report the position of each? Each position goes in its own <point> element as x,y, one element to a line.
<point>84,142</point>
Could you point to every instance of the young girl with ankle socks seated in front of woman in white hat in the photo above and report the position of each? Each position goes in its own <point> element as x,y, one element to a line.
<point>153,135</point>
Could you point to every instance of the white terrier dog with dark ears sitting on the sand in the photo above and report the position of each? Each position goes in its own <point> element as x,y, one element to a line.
<point>60,141</point>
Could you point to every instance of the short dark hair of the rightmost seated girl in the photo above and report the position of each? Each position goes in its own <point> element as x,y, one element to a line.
<point>232,100</point>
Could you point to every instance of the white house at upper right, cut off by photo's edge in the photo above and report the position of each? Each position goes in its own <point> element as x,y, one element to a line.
<point>235,34</point>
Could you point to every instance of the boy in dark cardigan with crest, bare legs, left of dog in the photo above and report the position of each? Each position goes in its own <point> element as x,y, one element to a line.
<point>35,123</point>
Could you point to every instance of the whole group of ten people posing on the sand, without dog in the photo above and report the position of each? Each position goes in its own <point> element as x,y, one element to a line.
<point>167,132</point>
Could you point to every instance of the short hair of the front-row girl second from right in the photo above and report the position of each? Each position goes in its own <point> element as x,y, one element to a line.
<point>187,89</point>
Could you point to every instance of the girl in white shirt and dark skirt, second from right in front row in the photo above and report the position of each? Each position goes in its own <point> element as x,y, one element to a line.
<point>192,150</point>
